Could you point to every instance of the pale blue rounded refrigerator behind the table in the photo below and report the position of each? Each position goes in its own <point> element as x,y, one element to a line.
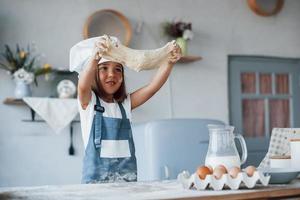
<point>164,148</point>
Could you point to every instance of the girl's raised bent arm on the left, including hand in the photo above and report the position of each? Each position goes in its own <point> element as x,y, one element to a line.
<point>86,78</point>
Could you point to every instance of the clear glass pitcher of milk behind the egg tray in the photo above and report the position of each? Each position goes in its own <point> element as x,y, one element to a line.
<point>222,149</point>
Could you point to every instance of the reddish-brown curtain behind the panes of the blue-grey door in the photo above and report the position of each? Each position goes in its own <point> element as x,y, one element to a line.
<point>253,110</point>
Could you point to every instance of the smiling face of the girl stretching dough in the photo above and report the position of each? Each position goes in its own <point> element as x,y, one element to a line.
<point>111,78</point>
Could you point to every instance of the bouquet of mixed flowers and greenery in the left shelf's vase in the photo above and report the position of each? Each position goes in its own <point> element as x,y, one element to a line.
<point>22,65</point>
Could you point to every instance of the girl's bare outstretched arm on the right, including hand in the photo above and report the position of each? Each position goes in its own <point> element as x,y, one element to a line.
<point>143,94</point>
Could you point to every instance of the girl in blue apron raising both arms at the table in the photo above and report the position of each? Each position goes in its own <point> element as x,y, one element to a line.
<point>105,112</point>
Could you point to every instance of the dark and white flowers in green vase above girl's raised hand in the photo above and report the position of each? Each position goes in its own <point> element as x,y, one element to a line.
<point>178,29</point>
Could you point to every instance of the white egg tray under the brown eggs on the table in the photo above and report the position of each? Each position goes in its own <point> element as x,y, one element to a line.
<point>242,179</point>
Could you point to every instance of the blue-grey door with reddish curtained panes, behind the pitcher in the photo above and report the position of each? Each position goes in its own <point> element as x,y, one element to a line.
<point>264,93</point>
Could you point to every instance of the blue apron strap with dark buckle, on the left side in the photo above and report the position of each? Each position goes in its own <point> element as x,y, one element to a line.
<point>98,123</point>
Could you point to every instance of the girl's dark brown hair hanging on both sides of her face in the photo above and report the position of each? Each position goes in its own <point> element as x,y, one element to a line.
<point>120,95</point>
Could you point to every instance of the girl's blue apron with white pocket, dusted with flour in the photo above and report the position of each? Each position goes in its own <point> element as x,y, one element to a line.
<point>106,131</point>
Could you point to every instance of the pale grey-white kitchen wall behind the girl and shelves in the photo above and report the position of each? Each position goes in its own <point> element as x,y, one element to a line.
<point>31,154</point>
